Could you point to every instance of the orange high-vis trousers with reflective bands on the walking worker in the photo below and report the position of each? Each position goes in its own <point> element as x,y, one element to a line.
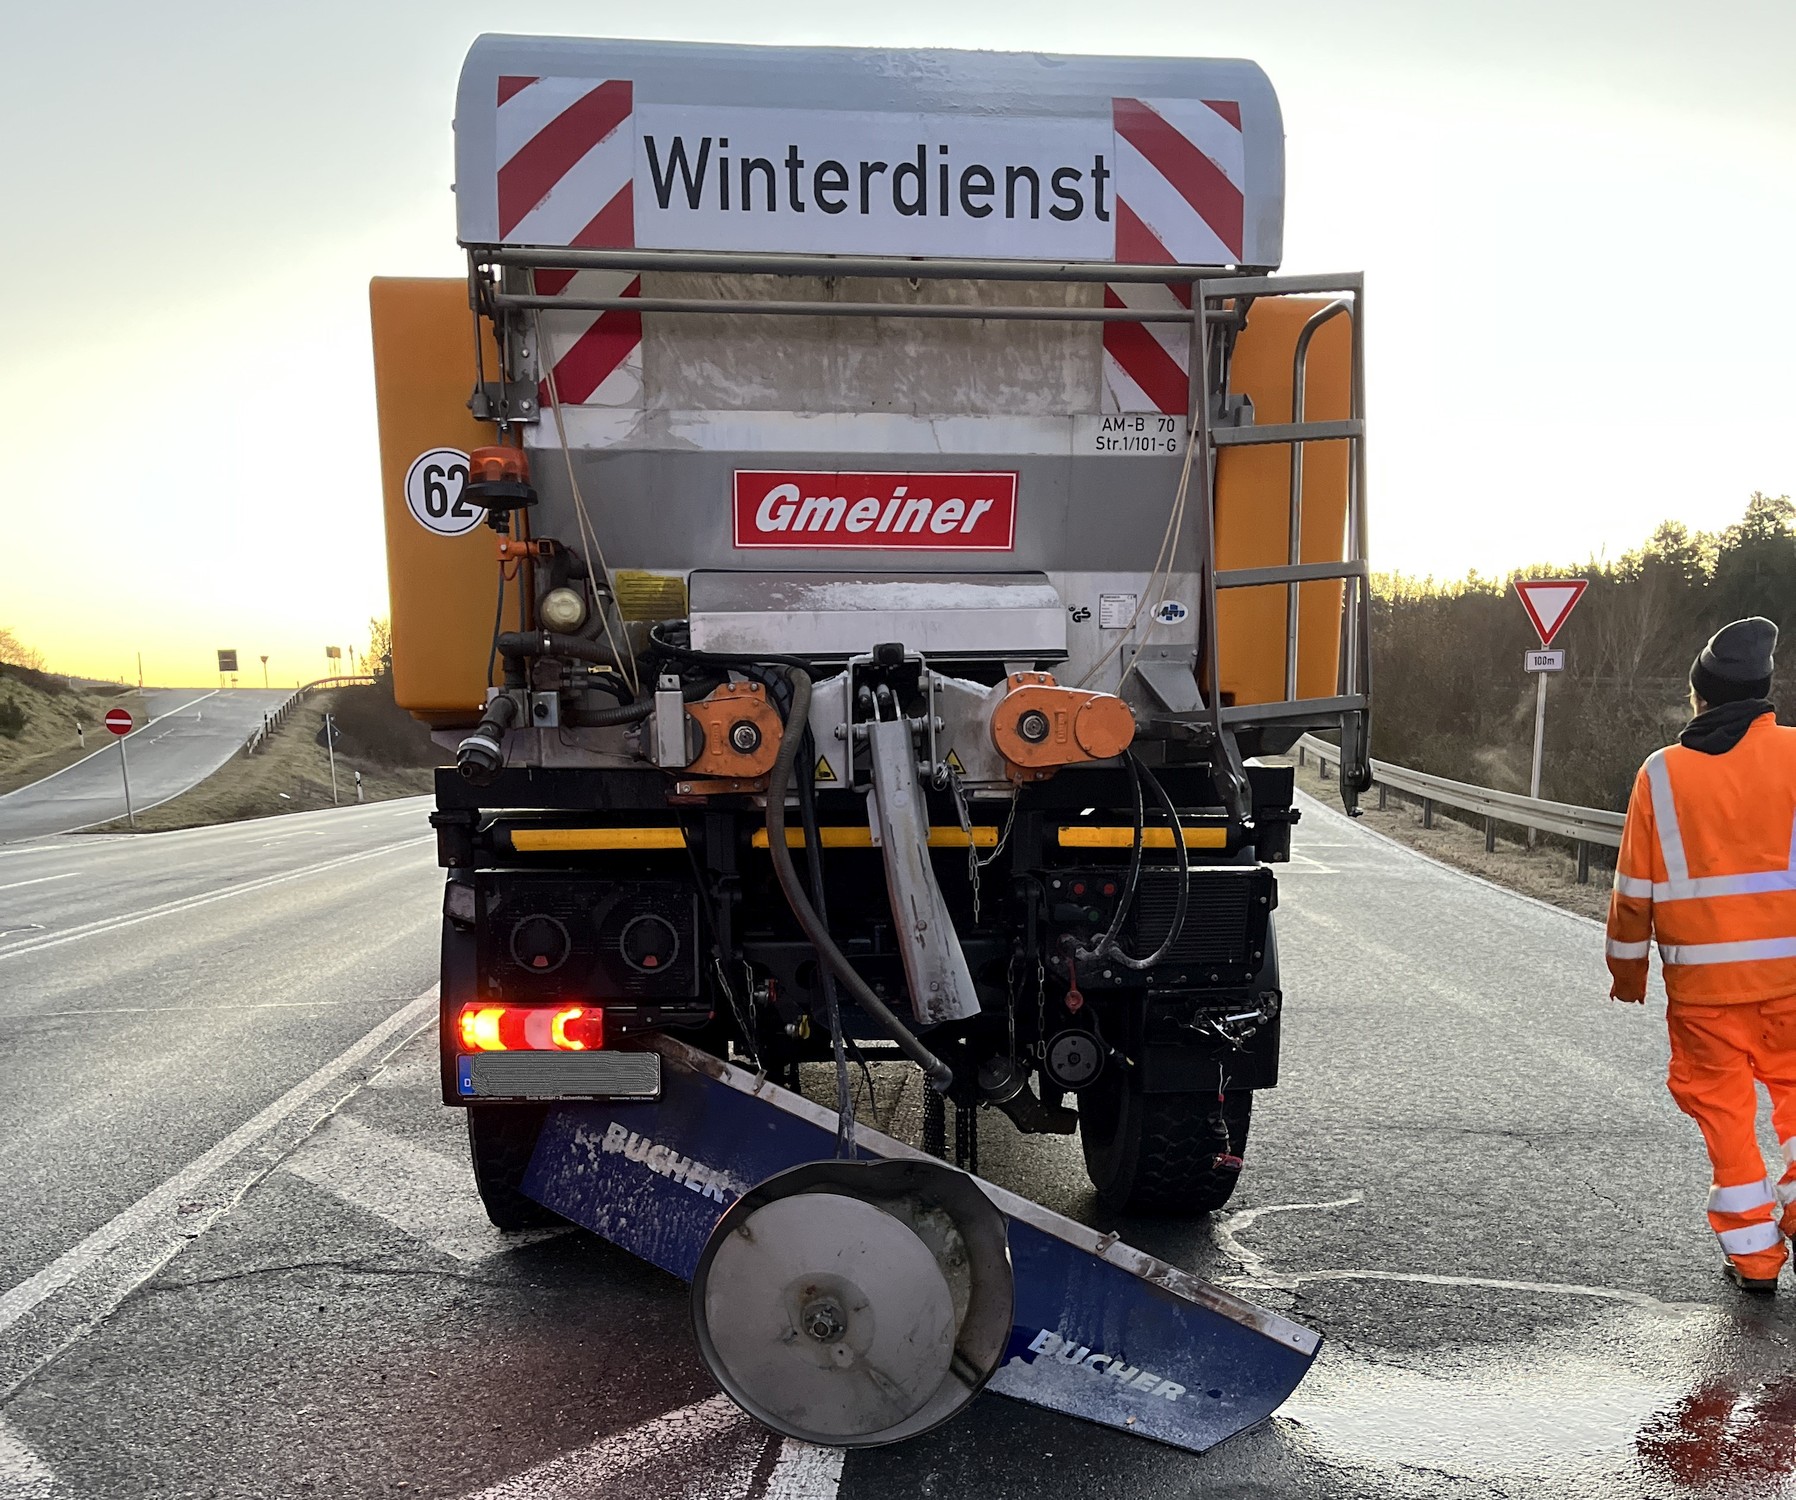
<point>1718,1054</point>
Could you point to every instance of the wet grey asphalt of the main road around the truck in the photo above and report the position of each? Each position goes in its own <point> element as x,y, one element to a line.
<point>261,1269</point>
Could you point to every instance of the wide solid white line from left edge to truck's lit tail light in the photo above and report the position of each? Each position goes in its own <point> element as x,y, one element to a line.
<point>123,1253</point>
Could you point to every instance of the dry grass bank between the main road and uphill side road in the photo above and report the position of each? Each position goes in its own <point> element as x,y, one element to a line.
<point>292,773</point>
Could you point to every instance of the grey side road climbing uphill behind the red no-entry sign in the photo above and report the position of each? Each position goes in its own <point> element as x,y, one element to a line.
<point>189,736</point>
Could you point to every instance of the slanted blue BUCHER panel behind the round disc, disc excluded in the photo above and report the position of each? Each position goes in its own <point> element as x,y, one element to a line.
<point>1100,1332</point>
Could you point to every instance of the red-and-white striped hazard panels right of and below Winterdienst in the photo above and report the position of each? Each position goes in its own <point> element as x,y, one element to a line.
<point>1179,202</point>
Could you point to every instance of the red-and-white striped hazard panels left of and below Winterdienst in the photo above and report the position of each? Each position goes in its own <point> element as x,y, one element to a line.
<point>567,146</point>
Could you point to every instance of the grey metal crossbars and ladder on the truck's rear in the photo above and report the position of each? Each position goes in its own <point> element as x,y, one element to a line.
<point>502,281</point>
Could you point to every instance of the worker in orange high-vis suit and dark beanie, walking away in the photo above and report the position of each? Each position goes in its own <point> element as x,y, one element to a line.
<point>1709,869</point>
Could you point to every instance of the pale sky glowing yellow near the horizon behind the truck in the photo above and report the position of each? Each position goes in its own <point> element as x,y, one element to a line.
<point>1576,222</point>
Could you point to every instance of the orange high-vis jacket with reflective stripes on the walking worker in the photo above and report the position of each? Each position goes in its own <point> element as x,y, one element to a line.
<point>1709,867</point>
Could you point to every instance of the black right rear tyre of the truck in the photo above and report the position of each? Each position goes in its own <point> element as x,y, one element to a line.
<point>1156,1154</point>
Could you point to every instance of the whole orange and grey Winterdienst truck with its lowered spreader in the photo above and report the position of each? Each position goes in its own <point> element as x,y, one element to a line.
<point>858,525</point>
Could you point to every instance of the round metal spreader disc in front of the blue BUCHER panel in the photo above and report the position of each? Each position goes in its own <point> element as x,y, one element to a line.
<point>856,1303</point>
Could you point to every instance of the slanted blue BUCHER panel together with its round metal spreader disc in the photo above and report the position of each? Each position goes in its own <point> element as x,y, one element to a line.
<point>861,1303</point>
